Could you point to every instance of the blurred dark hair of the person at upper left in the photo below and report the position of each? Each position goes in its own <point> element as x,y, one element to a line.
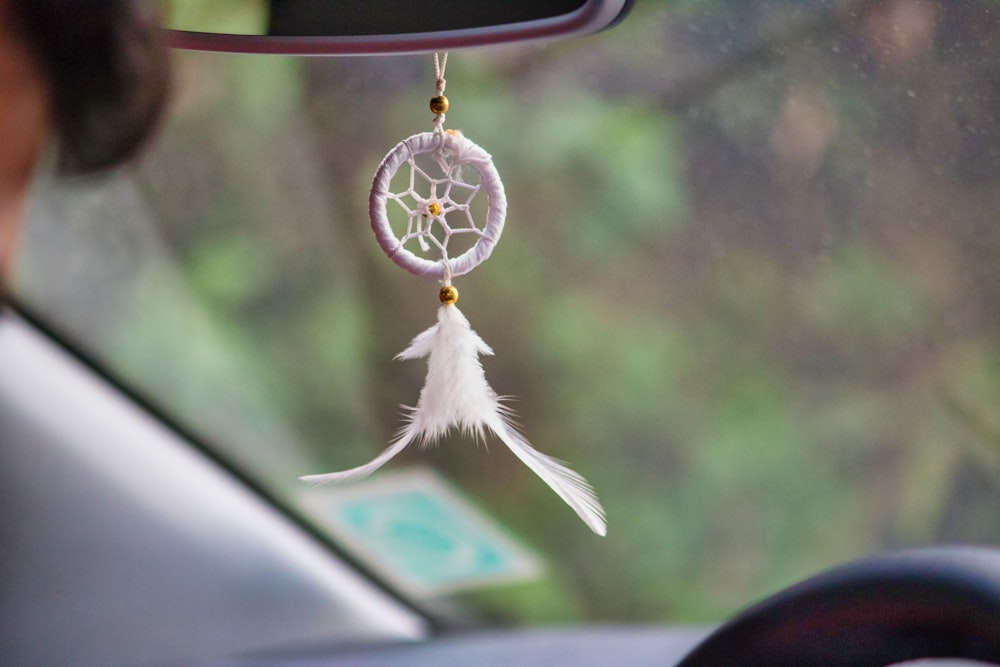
<point>107,70</point>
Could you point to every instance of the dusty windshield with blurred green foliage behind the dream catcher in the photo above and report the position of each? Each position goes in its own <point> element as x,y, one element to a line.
<point>748,287</point>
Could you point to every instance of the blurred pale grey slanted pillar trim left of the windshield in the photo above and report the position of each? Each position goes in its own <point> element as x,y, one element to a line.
<point>120,543</point>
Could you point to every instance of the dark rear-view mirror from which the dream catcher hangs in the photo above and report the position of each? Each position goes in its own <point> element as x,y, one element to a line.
<point>357,27</point>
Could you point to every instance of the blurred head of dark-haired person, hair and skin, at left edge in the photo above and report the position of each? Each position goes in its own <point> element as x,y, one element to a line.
<point>90,77</point>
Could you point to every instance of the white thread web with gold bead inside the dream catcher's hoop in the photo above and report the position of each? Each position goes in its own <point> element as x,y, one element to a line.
<point>437,209</point>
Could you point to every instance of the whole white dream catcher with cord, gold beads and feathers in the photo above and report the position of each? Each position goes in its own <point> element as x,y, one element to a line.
<point>438,202</point>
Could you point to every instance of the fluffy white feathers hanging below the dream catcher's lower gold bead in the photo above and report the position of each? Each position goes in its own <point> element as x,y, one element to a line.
<point>456,394</point>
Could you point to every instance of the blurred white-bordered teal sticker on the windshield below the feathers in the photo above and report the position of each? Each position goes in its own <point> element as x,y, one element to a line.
<point>417,531</point>
